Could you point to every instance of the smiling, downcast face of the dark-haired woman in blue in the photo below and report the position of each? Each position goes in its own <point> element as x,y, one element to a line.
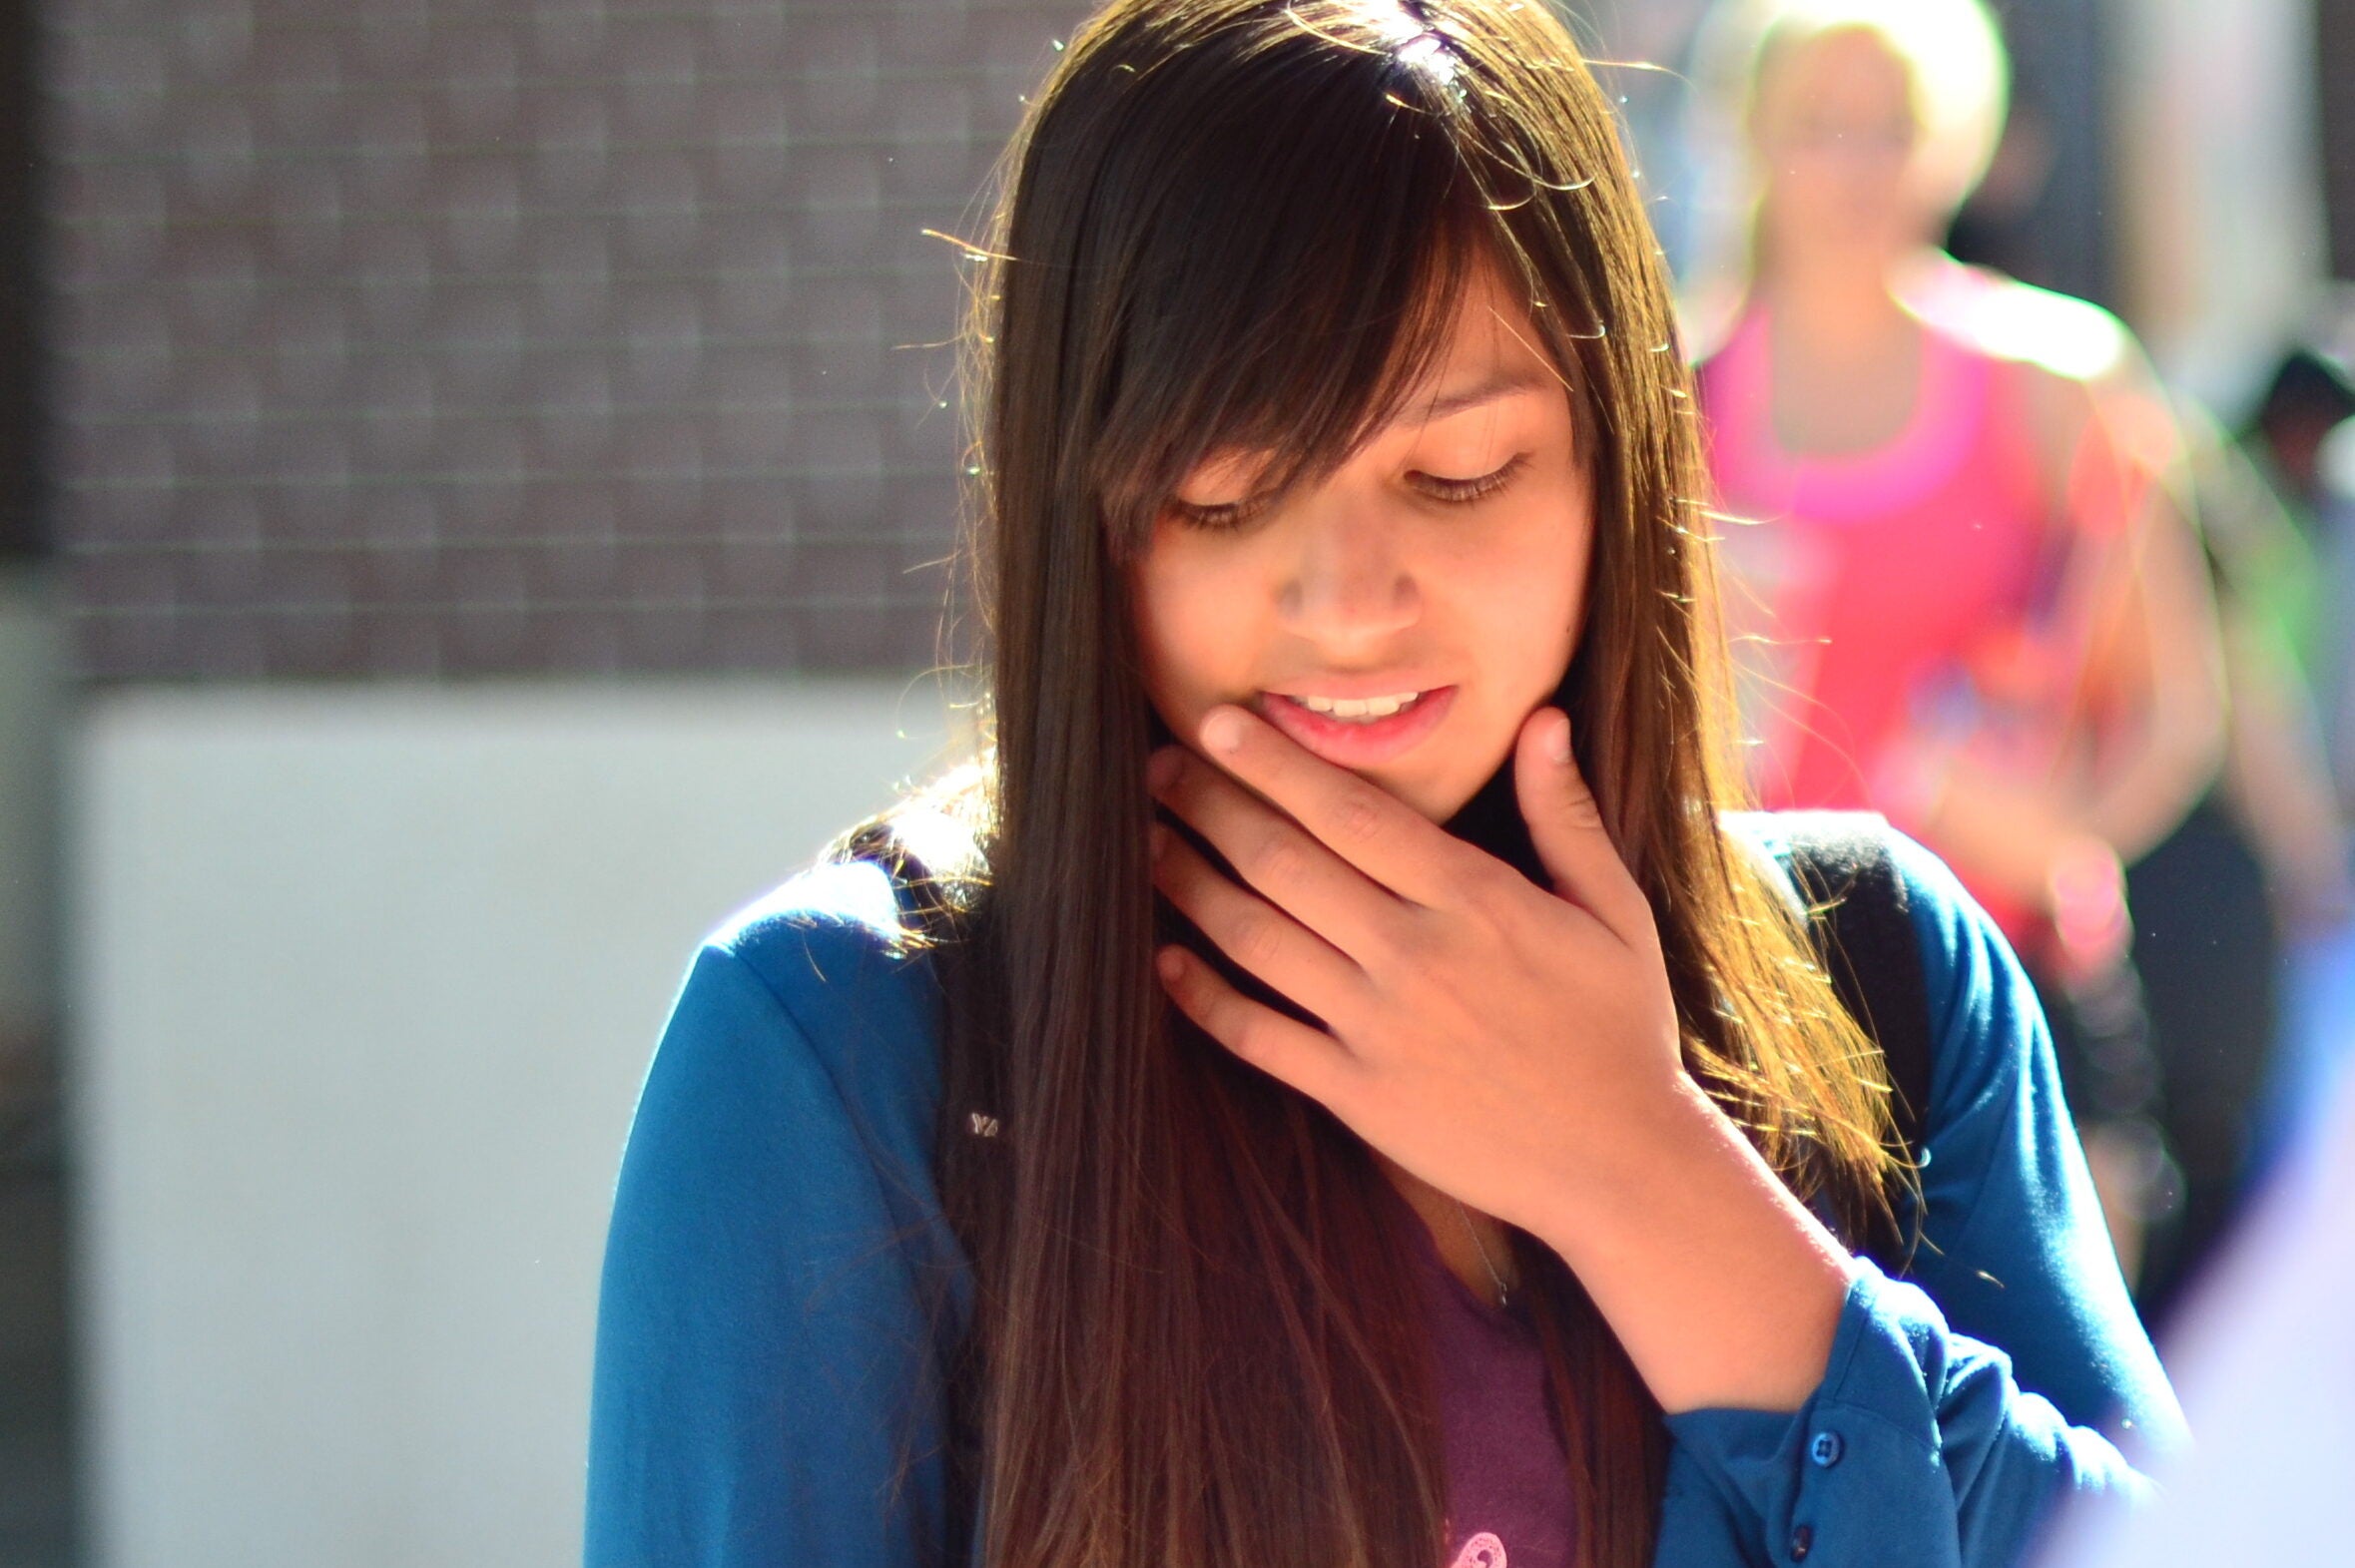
<point>1405,616</point>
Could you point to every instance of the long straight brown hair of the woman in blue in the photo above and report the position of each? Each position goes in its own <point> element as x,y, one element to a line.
<point>1240,225</point>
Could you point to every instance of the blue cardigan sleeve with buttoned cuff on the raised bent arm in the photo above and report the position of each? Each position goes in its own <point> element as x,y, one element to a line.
<point>1958,1407</point>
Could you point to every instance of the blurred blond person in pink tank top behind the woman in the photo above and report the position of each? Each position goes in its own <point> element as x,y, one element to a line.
<point>1965,590</point>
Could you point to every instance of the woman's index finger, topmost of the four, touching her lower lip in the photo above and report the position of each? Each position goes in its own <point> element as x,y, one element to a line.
<point>1358,820</point>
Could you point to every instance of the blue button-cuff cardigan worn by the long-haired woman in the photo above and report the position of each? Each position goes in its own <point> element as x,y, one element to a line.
<point>764,1353</point>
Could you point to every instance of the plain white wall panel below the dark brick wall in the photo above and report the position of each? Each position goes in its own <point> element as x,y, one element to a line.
<point>361,990</point>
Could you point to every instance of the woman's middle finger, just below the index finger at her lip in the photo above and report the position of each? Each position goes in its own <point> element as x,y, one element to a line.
<point>1285,863</point>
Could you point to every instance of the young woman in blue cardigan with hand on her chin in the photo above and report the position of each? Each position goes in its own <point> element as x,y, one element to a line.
<point>1457,1162</point>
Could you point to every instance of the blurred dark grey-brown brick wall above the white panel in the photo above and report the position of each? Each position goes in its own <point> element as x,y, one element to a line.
<point>404,338</point>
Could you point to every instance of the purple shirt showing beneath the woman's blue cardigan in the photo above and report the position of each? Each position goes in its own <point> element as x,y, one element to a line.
<point>1508,1470</point>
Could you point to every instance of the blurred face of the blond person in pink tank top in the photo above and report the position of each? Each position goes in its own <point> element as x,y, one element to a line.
<point>1840,150</point>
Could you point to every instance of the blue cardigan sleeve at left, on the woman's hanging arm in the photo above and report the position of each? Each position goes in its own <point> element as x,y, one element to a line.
<point>767,1376</point>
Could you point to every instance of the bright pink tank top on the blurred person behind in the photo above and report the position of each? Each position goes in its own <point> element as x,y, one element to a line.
<point>1883,592</point>
